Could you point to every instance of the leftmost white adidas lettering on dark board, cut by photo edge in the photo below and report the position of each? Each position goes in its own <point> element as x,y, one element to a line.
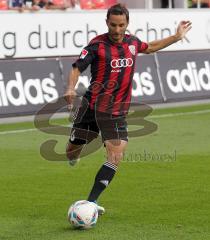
<point>20,92</point>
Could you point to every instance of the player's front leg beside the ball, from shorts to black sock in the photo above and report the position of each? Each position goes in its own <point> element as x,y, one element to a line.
<point>114,133</point>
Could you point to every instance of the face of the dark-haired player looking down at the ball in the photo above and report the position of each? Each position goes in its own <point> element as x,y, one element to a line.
<point>117,25</point>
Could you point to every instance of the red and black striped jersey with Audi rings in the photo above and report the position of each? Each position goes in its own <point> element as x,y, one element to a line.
<point>112,69</point>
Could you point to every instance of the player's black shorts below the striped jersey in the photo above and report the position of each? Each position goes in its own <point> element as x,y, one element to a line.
<point>88,124</point>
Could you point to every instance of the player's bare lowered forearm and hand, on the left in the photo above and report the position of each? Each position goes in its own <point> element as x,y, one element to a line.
<point>70,93</point>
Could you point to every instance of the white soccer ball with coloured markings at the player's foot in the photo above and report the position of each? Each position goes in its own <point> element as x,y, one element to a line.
<point>83,214</point>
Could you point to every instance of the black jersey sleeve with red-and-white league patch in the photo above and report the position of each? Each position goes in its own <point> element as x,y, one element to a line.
<point>86,57</point>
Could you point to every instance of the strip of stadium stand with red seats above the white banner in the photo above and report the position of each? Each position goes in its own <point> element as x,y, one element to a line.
<point>33,5</point>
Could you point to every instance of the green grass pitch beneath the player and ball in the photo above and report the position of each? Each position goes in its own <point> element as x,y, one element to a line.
<point>163,196</point>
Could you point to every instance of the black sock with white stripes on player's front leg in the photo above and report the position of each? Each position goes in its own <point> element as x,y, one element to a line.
<point>102,180</point>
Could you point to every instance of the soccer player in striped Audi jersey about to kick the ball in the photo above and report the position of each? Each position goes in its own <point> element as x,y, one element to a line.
<point>105,104</point>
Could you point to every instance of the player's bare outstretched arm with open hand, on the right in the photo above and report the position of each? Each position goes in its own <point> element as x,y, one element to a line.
<point>182,29</point>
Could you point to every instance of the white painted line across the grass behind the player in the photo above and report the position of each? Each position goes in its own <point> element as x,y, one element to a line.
<point>153,117</point>
